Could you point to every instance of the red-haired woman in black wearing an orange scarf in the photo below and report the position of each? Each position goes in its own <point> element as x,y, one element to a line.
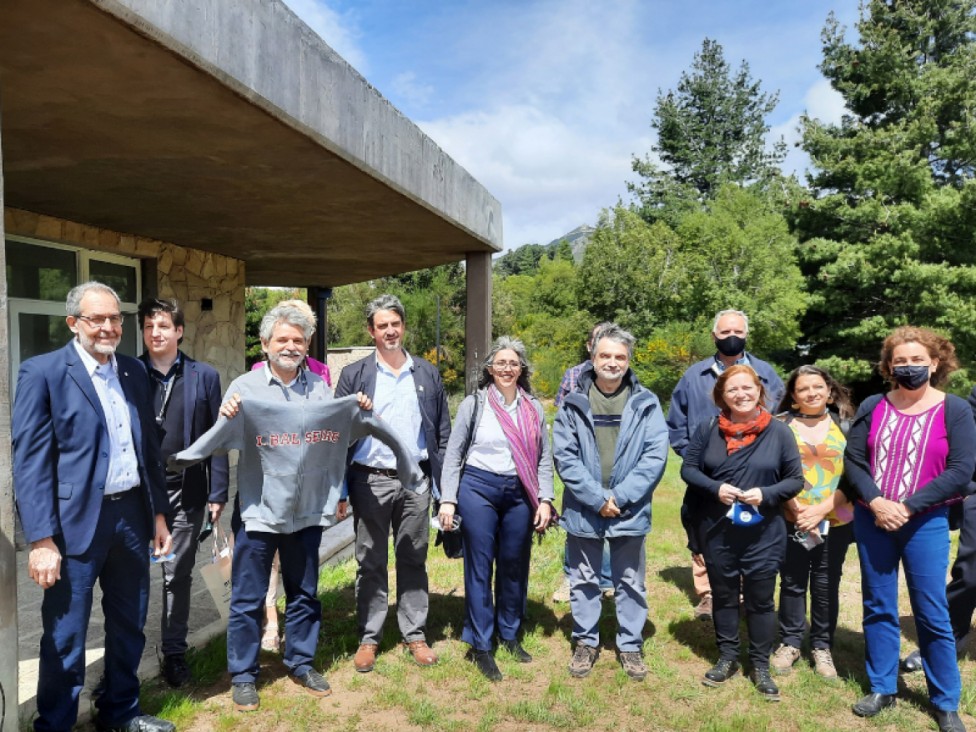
<point>744,464</point>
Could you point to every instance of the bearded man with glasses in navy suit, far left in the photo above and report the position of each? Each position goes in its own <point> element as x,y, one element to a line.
<point>91,494</point>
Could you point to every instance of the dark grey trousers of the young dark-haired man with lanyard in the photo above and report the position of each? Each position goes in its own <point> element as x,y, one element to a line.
<point>185,527</point>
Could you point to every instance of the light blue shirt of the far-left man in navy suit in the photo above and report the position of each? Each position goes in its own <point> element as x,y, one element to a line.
<point>123,466</point>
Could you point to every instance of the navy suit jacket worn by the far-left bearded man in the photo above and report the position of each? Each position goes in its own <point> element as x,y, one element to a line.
<point>61,447</point>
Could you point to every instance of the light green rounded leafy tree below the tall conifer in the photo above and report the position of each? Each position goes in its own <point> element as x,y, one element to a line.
<point>737,252</point>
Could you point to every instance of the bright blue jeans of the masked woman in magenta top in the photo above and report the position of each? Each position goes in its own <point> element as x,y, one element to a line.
<point>922,547</point>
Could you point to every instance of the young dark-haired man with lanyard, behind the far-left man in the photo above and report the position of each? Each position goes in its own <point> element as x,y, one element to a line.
<point>186,402</point>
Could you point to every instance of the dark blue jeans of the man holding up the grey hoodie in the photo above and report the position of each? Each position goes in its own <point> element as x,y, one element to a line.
<point>253,555</point>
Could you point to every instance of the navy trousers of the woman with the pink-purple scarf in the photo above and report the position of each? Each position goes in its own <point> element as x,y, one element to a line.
<point>497,529</point>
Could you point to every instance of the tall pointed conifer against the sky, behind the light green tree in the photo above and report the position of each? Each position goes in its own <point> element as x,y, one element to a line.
<point>710,130</point>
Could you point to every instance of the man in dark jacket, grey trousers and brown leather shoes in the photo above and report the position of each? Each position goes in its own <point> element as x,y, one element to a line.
<point>407,393</point>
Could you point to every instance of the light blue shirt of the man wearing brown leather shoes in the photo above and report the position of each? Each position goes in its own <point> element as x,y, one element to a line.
<point>395,401</point>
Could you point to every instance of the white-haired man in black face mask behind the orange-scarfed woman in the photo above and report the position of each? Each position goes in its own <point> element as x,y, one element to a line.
<point>692,406</point>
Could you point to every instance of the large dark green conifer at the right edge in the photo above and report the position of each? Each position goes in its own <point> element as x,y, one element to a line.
<point>889,233</point>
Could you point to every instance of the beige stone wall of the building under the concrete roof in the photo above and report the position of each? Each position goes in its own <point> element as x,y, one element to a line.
<point>190,275</point>
